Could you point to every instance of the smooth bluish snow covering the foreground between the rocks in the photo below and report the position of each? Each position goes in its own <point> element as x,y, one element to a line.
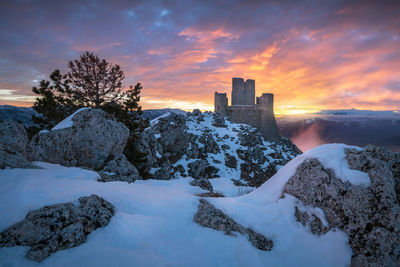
<point>153,225</point>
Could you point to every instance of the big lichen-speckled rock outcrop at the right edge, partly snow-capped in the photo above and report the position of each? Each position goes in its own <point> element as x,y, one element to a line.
<point>370,215</point>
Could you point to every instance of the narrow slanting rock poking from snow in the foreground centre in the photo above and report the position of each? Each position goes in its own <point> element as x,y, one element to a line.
<point>209,216</point>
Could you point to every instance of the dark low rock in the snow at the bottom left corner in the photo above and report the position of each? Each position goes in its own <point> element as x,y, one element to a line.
<point>58,227</point>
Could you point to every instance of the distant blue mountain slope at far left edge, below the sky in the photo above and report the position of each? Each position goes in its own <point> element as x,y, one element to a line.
<point>19,114</point>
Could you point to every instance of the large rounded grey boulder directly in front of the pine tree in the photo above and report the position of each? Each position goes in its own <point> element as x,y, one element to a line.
<point>93,137</point>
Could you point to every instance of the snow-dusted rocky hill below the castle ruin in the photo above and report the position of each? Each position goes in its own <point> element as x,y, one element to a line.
<point>206,145</point>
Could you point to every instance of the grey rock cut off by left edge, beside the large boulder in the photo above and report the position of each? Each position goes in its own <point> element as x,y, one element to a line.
<point>13,142</point>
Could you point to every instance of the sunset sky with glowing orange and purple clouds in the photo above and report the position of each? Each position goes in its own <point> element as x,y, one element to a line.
<point>311,55</point>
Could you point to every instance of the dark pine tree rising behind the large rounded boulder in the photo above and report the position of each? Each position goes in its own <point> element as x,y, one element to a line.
<point>91,82</point>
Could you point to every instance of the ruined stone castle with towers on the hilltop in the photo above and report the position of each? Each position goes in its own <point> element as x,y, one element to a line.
<point>246,108</point>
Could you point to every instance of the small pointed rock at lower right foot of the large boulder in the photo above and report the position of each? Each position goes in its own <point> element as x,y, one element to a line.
<point>119,169</point>
